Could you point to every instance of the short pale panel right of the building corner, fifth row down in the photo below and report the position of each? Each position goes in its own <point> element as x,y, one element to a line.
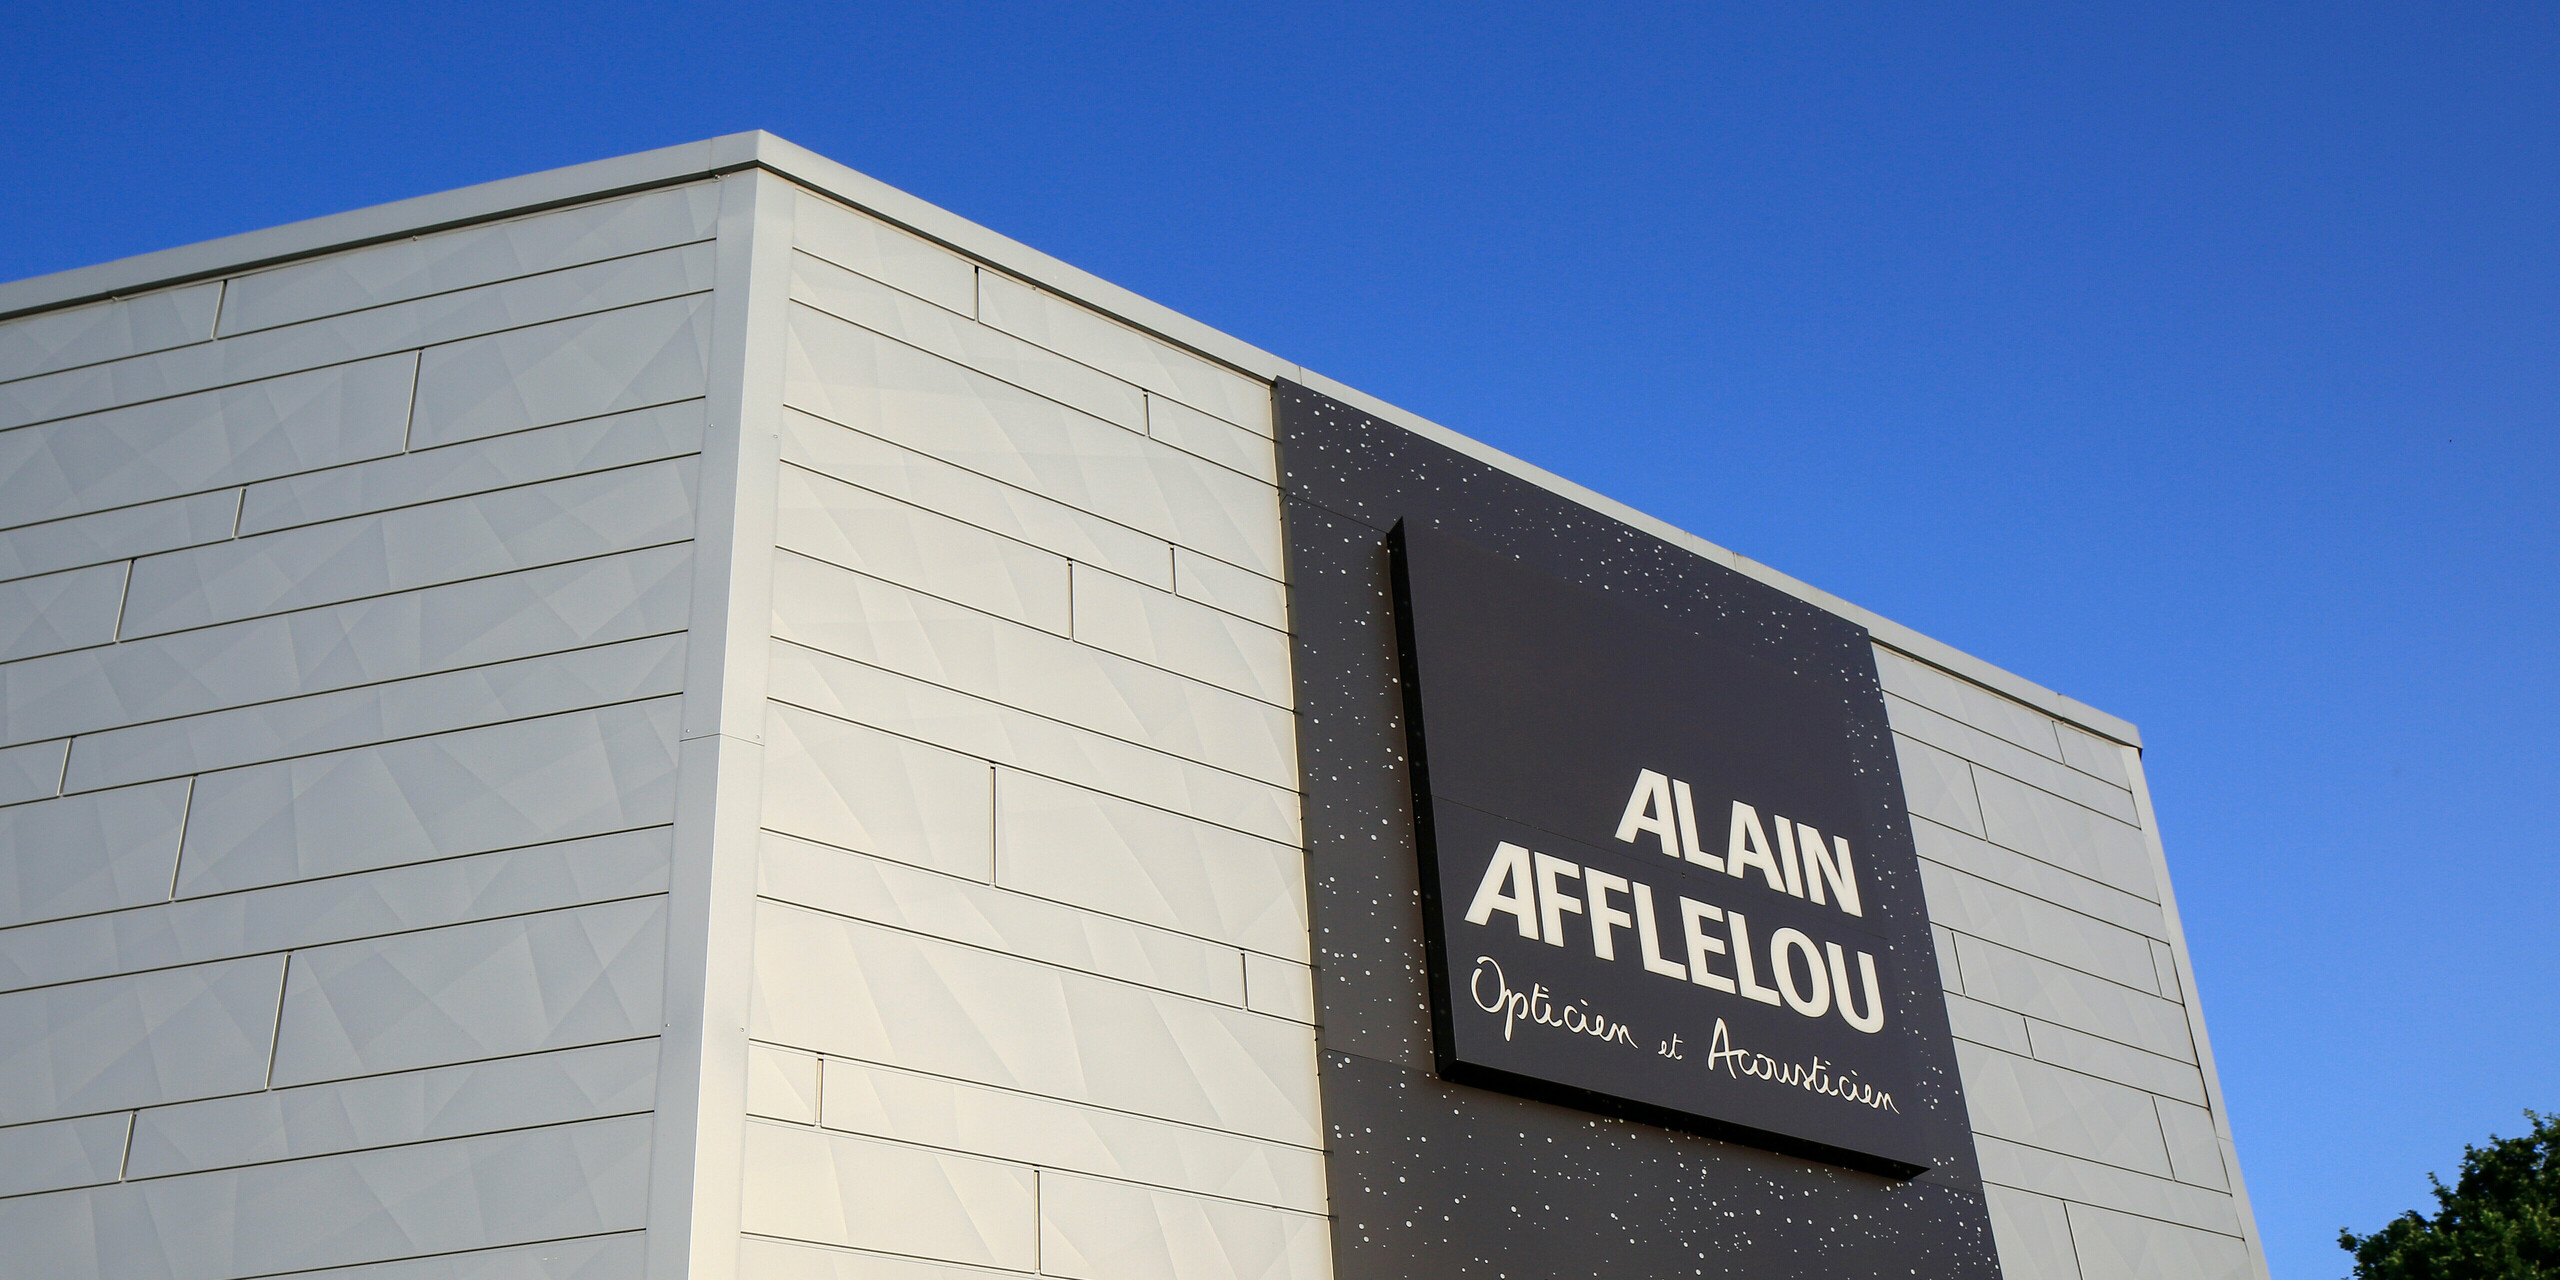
<point>910,547</point>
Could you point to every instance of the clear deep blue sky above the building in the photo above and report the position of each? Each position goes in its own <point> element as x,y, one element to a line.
<point>2200,362</point>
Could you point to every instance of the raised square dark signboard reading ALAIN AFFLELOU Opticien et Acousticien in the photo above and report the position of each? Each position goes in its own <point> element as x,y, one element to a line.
<point>1647,869</point>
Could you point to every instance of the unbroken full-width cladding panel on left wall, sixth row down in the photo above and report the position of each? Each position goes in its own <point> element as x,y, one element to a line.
<point>344,646</point>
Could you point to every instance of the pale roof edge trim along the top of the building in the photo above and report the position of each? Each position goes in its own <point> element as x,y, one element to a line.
<point>759,150</point>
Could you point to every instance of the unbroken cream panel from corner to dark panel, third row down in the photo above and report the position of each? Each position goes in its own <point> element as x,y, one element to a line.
<point>979,421</point>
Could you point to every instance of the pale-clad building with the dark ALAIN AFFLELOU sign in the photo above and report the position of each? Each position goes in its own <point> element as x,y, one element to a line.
<point>705,718</point>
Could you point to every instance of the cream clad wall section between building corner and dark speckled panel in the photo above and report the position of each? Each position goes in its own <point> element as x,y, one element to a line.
<point>1030,972</point>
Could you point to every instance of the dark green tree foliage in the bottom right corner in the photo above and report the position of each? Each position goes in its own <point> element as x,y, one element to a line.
<point>2497,1222</point>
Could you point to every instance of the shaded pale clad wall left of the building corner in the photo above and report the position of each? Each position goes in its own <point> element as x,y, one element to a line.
<point>342,626</point>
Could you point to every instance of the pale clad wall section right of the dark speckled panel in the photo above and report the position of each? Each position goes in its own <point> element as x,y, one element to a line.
<point>2080,1048</point>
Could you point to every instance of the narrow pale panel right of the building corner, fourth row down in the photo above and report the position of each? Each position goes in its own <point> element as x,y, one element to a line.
<point>964,495</point>
